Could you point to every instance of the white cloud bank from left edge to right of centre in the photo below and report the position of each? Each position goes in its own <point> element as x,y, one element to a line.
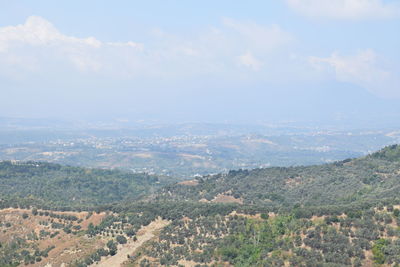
<point>40,45</point>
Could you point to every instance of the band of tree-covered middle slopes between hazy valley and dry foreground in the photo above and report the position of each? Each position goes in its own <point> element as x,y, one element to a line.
<point>374,177</point>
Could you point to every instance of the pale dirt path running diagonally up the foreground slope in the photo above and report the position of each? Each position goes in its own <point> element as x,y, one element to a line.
<point>144,234</point>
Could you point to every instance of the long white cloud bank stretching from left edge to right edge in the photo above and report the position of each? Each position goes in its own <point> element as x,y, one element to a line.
<point>38,48</point>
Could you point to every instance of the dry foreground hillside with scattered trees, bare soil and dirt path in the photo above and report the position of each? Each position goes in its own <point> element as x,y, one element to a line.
<point>199,234</point>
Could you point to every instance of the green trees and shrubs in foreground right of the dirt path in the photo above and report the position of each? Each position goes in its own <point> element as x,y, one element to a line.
<point>329,240</point>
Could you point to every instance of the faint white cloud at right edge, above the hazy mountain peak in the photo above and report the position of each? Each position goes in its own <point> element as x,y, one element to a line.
<point>363,69</point>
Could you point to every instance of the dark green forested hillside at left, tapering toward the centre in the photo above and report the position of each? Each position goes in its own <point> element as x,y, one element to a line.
<point>54,185</point>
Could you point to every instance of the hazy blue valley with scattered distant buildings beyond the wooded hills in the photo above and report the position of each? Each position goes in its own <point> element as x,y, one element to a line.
<point>188,150</point>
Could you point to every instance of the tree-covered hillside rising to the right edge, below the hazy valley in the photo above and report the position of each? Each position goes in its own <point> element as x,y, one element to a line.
<point>374,177</point>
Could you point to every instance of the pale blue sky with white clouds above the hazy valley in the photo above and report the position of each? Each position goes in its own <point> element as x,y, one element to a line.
<point>209,61</point>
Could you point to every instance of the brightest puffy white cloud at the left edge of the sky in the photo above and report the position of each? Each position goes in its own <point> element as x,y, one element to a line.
<point>37,41</point>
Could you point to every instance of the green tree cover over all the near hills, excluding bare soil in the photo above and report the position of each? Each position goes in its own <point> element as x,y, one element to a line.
<point>340,214</point>
